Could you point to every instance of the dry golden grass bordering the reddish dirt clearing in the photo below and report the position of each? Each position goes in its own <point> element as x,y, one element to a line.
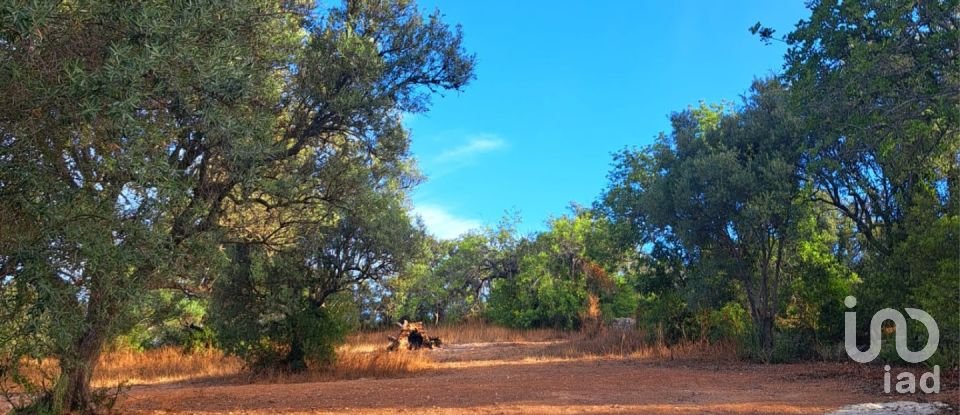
<point>364,356</point>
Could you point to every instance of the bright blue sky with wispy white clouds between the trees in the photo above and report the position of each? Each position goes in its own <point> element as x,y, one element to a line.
<point>562,85</point>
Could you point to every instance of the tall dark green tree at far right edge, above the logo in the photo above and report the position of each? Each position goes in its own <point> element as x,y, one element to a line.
<point>871,81</point>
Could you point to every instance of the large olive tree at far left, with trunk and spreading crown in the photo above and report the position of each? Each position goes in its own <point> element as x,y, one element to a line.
<point>137,139</point>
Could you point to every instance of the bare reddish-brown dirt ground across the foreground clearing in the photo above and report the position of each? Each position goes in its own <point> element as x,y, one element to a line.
<point>515,378</point>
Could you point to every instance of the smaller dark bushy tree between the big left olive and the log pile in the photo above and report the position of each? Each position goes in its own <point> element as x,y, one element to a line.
<point>271,307</point>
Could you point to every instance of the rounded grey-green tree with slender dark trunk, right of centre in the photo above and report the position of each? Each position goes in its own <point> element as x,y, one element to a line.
<point>721,188</point>
